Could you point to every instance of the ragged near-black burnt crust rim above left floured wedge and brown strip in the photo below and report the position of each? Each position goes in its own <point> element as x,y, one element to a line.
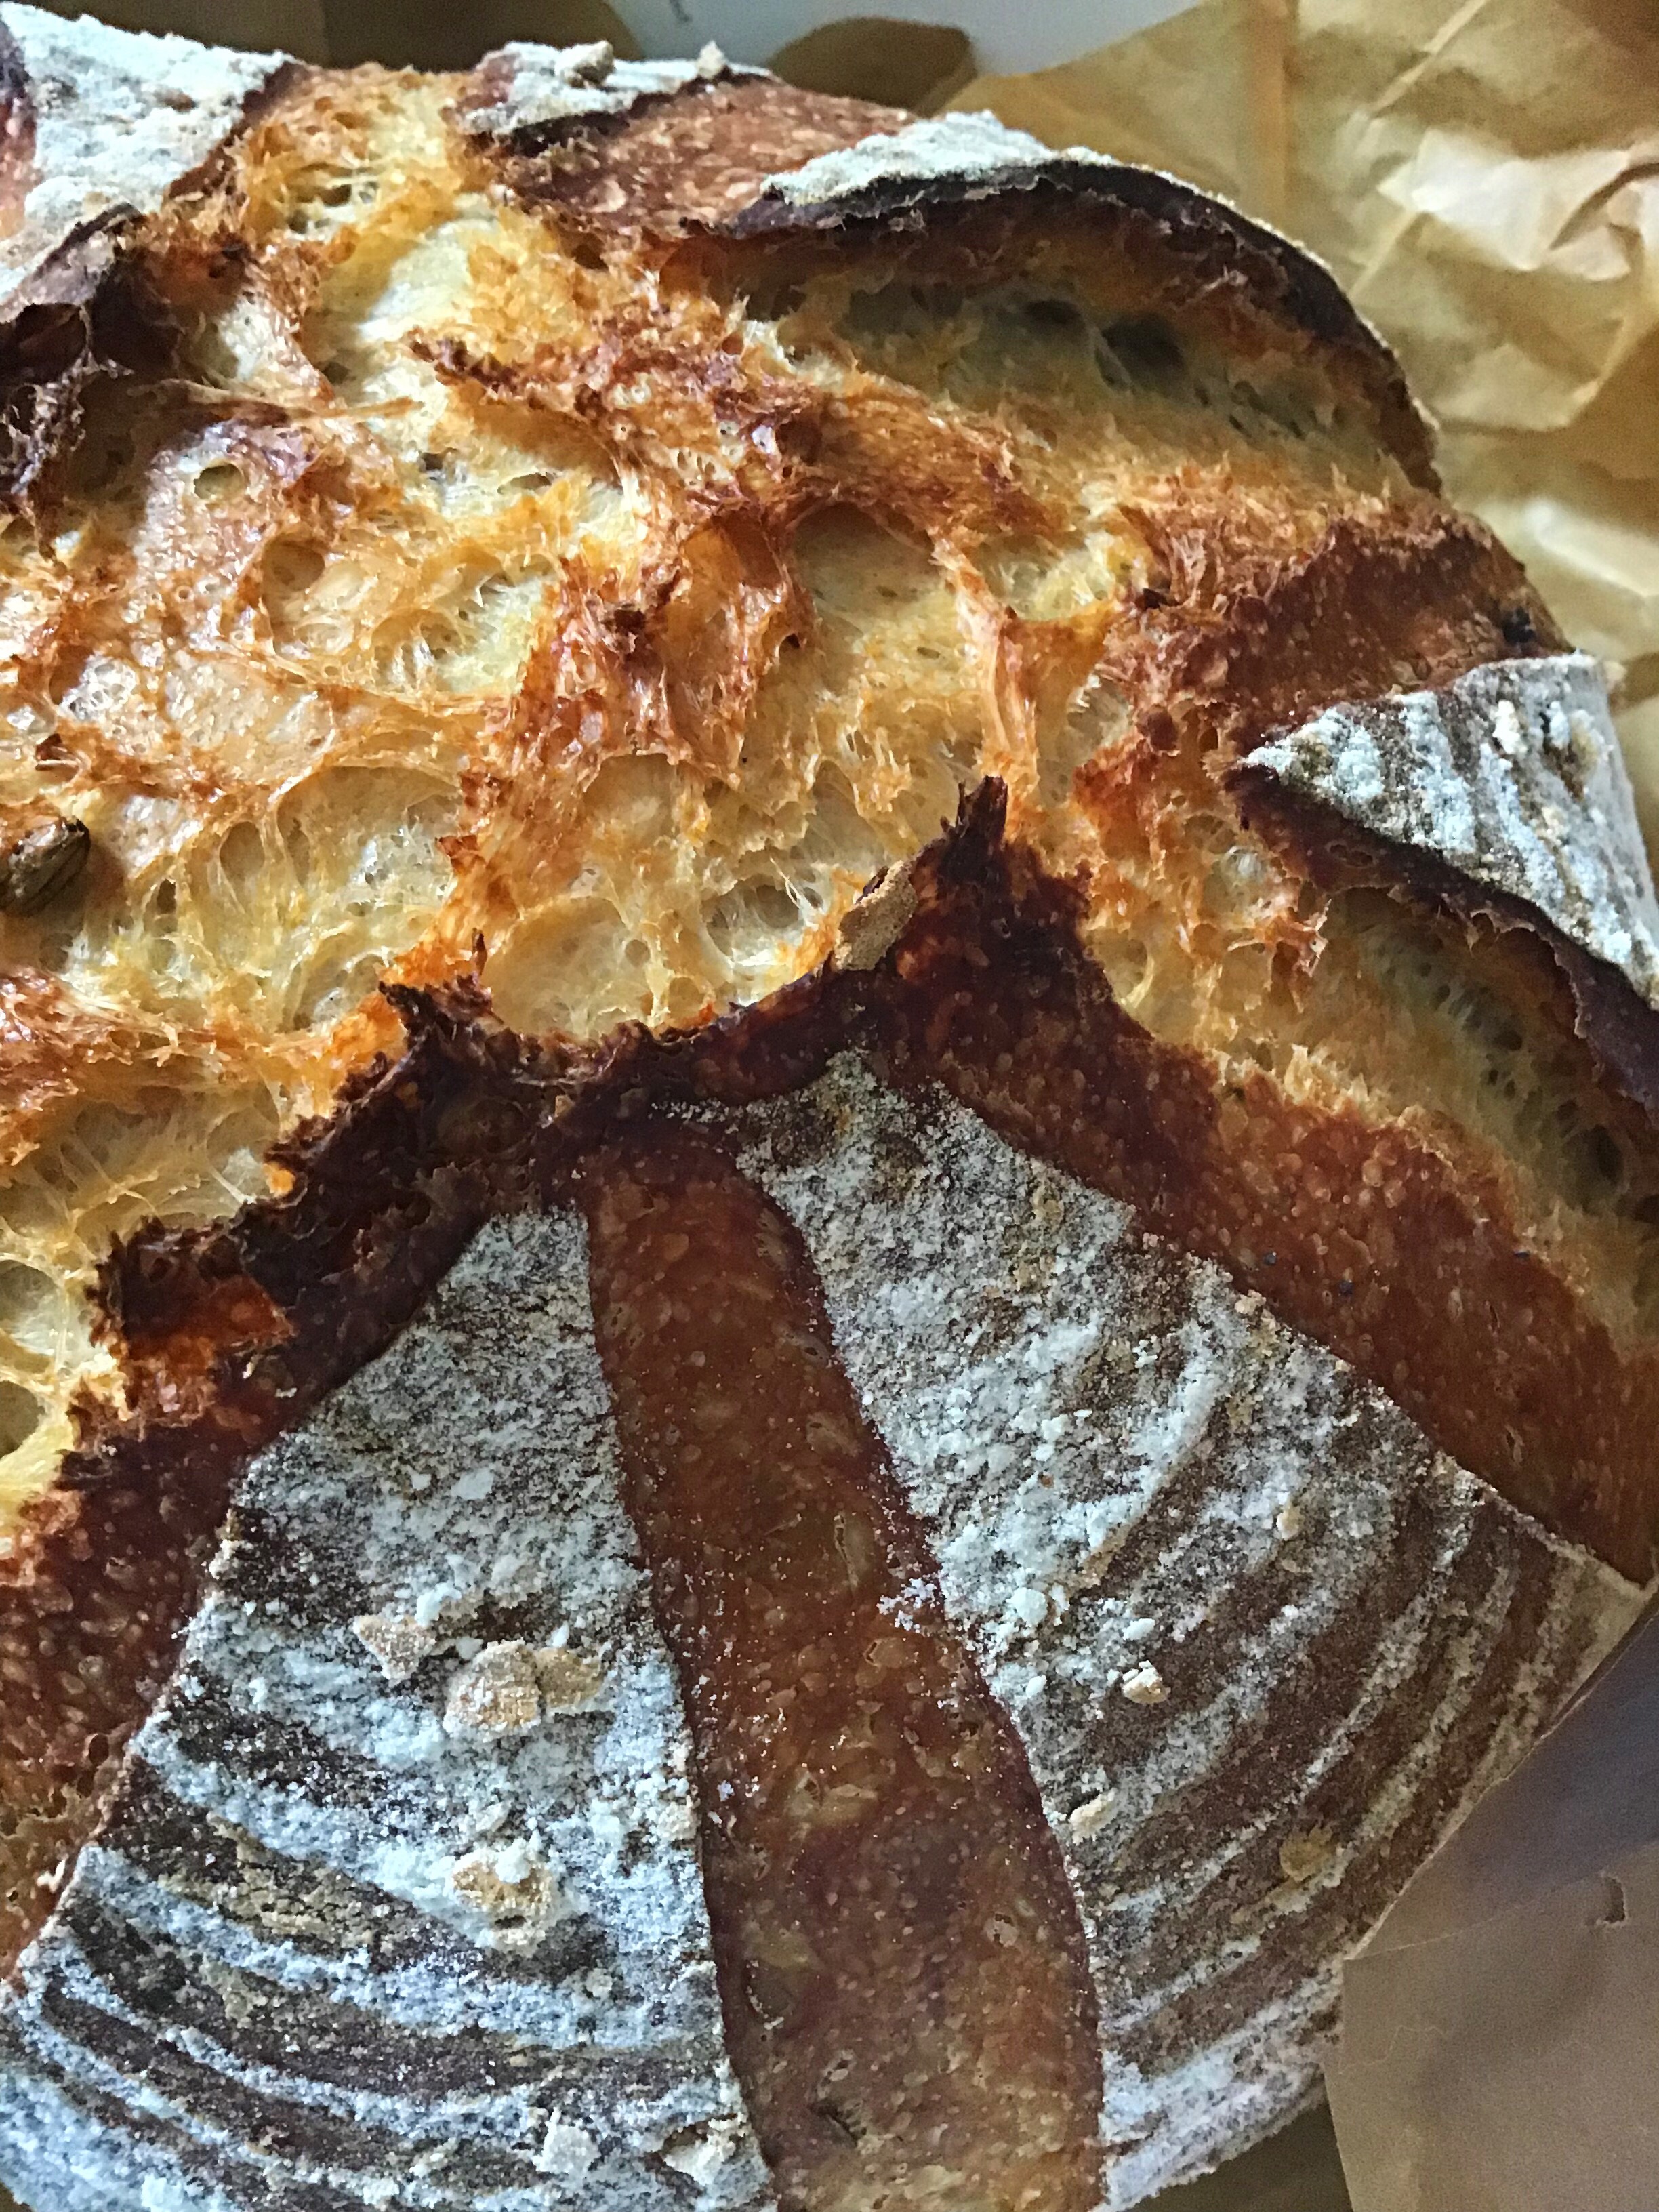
<point>468,1120</point>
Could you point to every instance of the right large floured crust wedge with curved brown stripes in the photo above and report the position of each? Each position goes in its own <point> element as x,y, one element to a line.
<point>1260,1640</point>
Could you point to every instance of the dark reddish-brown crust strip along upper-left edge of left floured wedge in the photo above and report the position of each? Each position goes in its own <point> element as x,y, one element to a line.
<point>231,1337</point>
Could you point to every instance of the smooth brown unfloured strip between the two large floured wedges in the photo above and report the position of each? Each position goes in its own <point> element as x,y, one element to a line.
<point>901,1959</point>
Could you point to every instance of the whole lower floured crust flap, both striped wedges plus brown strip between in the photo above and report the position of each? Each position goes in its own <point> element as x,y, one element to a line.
<point>970,1490</point>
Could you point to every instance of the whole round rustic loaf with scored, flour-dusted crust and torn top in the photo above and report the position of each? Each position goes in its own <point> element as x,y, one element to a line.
<point>831,1176</point>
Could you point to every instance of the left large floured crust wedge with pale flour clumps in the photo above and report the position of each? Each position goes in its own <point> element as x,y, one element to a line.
<point>428,1934</point>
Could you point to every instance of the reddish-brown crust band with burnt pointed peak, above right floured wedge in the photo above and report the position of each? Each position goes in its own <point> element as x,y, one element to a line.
<point>1368,1238</point>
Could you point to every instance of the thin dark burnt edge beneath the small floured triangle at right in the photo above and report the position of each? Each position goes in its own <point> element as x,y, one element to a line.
<point>1605,1008</point>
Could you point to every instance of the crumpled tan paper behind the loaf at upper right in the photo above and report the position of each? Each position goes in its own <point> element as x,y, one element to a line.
<point>1483,176</point>
